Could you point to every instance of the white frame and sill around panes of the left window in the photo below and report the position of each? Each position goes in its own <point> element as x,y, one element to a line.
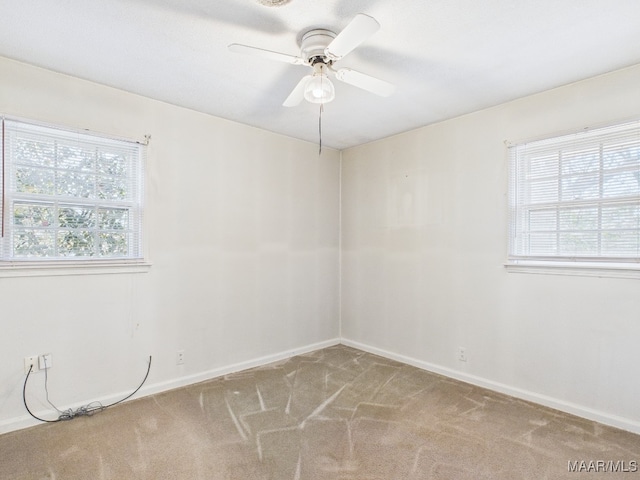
<point>133,262</point>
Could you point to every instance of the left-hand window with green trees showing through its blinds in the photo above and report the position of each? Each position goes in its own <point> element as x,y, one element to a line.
<point>69,196</point>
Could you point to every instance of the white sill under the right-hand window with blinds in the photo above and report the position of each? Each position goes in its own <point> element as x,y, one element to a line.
<point>612,270</point>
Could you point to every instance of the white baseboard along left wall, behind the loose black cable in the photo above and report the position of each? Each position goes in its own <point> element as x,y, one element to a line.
<point>26,421</point>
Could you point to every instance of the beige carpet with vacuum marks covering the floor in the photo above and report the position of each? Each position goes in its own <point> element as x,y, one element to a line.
<point>335,414</point>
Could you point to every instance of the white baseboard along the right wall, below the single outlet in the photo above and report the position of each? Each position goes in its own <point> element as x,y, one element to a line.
<point>557,404</point>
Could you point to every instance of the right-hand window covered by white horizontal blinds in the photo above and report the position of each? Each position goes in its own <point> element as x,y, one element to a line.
<point>576,198</point>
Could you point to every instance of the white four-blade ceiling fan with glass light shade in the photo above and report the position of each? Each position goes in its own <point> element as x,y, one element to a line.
<point>320,50</point>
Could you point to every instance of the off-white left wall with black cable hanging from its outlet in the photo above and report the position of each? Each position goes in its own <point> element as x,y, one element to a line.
<point>243,234</point>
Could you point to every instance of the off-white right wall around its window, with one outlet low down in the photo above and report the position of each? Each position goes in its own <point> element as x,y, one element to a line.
<point>424,239</point>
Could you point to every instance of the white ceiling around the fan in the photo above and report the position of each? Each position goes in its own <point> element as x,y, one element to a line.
<point>446,57</point>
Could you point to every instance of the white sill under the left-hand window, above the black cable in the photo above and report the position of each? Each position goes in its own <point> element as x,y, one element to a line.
<point>47,269</point>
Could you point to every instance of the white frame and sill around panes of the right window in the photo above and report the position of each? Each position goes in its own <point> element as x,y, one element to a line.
<point>519,261</point>
